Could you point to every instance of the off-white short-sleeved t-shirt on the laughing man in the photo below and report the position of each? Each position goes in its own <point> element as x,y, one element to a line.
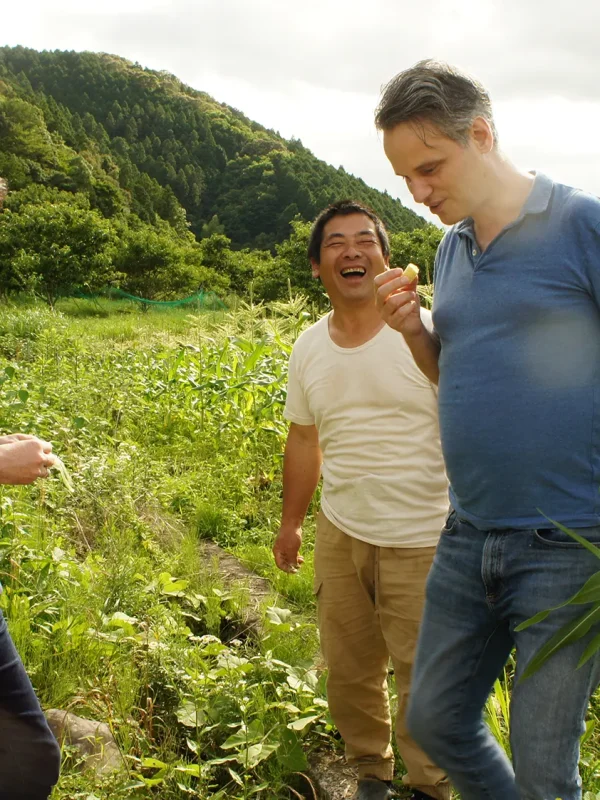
<point>376,413</point>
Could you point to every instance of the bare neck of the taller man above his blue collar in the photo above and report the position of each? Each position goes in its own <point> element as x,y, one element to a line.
<point>507,190</point>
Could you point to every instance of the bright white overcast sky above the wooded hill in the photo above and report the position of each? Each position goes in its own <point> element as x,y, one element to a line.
<point>314,69</point>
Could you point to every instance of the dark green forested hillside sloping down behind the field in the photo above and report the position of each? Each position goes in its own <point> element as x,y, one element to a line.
<point>119,173</point>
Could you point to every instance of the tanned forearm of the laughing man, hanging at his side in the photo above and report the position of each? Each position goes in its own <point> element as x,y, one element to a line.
<point>301,473</point>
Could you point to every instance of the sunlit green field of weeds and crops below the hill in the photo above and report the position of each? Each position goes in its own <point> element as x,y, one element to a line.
<point>171,427</point>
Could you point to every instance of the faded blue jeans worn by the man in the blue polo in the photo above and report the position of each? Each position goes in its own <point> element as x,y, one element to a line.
<point>481,586</point>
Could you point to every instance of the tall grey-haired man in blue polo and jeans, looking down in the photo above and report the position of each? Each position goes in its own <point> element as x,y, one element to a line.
<point>515,350</point>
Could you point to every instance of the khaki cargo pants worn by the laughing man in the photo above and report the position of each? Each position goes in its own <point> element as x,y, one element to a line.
<point>370,601</point>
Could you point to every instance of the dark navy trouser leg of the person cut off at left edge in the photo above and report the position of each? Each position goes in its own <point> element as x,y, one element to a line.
<point>29,753</point>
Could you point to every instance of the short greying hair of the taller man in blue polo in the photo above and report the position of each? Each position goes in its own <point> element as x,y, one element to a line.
<point>436,93</point>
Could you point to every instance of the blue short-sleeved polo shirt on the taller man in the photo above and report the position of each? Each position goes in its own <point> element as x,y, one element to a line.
<point>519,389</point>
